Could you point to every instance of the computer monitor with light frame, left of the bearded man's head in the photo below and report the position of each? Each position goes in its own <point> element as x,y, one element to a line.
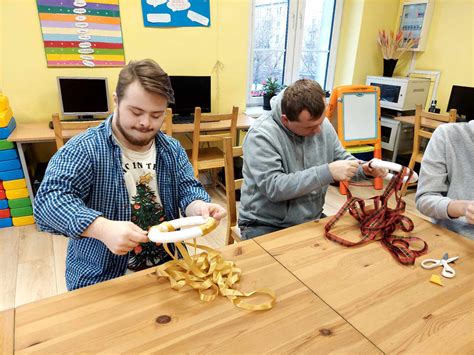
<point>83,97</point>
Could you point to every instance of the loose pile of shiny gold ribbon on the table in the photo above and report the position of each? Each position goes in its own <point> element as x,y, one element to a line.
<point>210,274</point>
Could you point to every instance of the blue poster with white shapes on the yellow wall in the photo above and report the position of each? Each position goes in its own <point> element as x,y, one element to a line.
<point>176,13</point>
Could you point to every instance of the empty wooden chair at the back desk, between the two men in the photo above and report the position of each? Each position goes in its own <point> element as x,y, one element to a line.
<point>205,158</point>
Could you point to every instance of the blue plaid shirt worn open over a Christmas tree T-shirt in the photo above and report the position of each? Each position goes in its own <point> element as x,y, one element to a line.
<point>85,180</point>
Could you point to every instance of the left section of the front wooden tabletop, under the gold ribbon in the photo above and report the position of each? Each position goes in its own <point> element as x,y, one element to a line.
<point>120,316</point>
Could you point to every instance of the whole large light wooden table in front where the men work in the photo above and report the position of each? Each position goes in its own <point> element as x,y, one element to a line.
<point>329,299</point>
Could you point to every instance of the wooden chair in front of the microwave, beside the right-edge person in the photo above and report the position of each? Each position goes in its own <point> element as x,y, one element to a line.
<point>424,123</point>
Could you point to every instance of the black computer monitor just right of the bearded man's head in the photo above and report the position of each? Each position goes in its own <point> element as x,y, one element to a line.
<point>191,92</point>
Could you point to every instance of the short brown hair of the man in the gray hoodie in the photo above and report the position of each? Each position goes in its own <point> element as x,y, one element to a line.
<point>303,94</point>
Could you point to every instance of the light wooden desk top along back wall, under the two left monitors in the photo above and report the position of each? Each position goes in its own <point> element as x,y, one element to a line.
<point>40,131</point>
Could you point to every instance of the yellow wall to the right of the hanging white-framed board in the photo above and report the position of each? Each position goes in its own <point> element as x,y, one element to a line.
<point>449,48</point>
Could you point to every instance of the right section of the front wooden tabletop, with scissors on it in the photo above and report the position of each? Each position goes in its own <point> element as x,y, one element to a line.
<point>394,306</point>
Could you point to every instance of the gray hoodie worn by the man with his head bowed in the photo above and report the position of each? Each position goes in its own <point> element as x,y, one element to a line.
<point>286,176</point>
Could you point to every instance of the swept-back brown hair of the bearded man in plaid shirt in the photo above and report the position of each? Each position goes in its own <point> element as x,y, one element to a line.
<point>150,76</point>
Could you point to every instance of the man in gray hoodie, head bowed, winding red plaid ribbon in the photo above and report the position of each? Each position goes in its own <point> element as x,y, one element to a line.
<point>291,155</point>
